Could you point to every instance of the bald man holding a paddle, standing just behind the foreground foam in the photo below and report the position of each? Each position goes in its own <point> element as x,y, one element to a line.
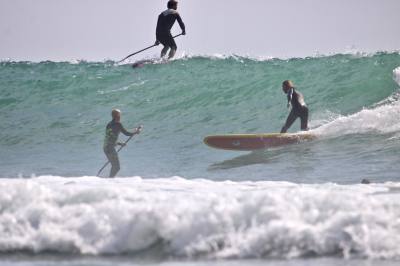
<point>114,127</point>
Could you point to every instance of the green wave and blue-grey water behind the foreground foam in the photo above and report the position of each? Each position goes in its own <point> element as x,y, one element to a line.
<point>53,117</point>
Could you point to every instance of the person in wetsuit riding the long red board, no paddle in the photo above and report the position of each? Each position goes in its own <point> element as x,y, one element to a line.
<point>299,108</point>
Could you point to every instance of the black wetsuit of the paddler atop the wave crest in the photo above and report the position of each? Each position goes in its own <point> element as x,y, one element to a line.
<point>164,24</point>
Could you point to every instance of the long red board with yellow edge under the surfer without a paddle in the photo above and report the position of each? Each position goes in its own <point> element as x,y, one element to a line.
<point>250,142</point>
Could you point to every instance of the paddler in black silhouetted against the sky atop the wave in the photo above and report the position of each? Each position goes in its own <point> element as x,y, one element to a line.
<point>164,24</point>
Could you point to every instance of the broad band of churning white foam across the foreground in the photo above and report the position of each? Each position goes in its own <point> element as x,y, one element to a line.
<point>189,218</point>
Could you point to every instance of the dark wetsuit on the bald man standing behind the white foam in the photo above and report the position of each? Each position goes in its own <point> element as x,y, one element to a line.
<point>110,141</point>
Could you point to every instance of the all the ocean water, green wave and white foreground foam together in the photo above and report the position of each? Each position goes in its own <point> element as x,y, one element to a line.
<point>178,202</point>
